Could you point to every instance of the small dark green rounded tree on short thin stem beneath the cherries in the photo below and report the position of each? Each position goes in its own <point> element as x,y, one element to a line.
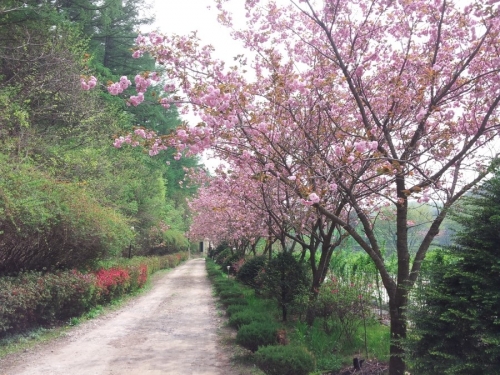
<point>284,279</point>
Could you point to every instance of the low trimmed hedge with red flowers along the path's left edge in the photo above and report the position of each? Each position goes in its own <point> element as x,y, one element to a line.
<point>34,298</point>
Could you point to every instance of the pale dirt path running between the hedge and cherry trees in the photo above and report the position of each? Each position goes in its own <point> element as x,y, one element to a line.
<point>172,330</point>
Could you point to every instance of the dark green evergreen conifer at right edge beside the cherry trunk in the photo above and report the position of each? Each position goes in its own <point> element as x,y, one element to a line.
<point>457,326</point>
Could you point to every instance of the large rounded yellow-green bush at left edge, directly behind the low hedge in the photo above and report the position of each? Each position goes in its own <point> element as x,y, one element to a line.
<point>48,224</point>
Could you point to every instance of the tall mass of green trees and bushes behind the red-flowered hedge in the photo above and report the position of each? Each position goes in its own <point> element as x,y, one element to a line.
<point>85,195</point>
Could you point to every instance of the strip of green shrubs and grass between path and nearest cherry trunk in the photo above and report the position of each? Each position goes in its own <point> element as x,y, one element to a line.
<point>346,326</point>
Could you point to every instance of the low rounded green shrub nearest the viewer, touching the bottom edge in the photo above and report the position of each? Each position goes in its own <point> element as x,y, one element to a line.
<point>285,360</point>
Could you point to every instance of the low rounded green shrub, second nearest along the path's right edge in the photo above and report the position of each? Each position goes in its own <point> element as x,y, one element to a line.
<point>256,334</point>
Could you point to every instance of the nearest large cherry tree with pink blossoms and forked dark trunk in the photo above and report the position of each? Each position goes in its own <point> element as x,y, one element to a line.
<point>353,106</point>
